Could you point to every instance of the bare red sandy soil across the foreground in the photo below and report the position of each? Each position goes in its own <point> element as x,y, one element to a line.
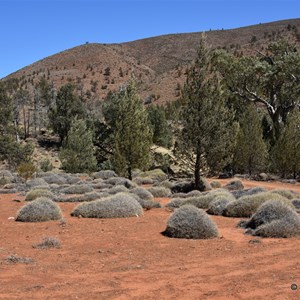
<point>130,259</point>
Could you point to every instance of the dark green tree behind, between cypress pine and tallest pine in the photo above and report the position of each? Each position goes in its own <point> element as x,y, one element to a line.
<point>162,135</point>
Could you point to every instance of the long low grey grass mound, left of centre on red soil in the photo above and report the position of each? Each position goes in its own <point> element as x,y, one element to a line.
<point>121,205</point>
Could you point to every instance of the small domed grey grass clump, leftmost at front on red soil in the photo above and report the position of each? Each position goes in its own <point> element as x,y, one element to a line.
<point>39,210</point>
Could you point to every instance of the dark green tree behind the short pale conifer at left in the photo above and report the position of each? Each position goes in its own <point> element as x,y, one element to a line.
<point>67,107</point>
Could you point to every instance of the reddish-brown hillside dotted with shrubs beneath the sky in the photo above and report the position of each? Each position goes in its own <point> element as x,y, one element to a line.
<point>158,63</point>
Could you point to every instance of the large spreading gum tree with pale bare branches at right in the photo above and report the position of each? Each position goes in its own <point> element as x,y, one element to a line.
<point>270,79</point>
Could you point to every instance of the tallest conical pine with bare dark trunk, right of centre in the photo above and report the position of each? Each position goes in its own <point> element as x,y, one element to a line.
<point>207,124</point>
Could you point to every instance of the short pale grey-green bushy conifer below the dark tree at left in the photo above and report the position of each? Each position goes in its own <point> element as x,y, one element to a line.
<point>77,154</point>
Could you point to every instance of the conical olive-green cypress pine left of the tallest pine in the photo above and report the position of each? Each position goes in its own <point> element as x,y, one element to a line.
<point>133,136</point>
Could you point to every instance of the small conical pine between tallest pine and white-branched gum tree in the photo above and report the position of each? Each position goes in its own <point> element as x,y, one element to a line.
<point>251,151</point>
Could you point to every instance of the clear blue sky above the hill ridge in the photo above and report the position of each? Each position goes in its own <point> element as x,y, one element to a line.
<point>32,30</point>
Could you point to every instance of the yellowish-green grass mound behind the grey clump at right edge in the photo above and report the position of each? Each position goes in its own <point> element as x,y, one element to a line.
<point>246,206</point>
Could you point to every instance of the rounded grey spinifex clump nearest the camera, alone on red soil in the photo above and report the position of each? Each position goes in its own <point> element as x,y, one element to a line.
<point>189,222</point>
